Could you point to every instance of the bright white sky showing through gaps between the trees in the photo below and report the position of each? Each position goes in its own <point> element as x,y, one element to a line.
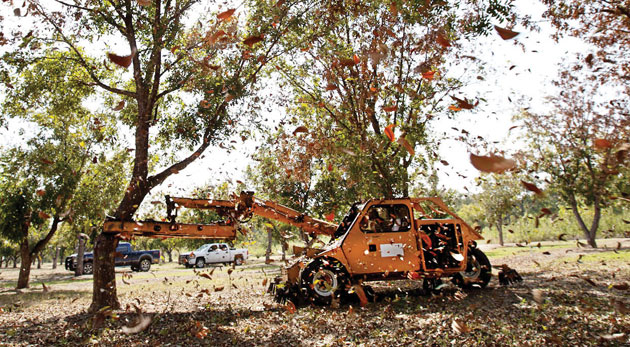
<point>518,75</point>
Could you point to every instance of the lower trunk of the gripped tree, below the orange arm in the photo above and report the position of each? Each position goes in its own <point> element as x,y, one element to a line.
<point>104,284</point>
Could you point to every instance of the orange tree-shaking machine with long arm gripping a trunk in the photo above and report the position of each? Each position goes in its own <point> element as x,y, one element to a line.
<point>381,239</point>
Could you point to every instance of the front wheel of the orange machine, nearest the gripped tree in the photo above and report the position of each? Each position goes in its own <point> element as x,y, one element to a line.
<point>324,280</point>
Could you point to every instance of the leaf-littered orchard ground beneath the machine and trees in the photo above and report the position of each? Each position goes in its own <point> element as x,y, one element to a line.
<point>570,296</point>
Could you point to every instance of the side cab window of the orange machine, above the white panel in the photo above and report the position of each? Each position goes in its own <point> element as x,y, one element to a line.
<point>386,219</point>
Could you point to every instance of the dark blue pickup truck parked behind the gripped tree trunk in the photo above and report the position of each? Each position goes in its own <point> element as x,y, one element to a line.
<point>125,256</point>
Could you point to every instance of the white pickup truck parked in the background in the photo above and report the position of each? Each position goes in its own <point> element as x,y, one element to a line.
<point>212,253</point>
